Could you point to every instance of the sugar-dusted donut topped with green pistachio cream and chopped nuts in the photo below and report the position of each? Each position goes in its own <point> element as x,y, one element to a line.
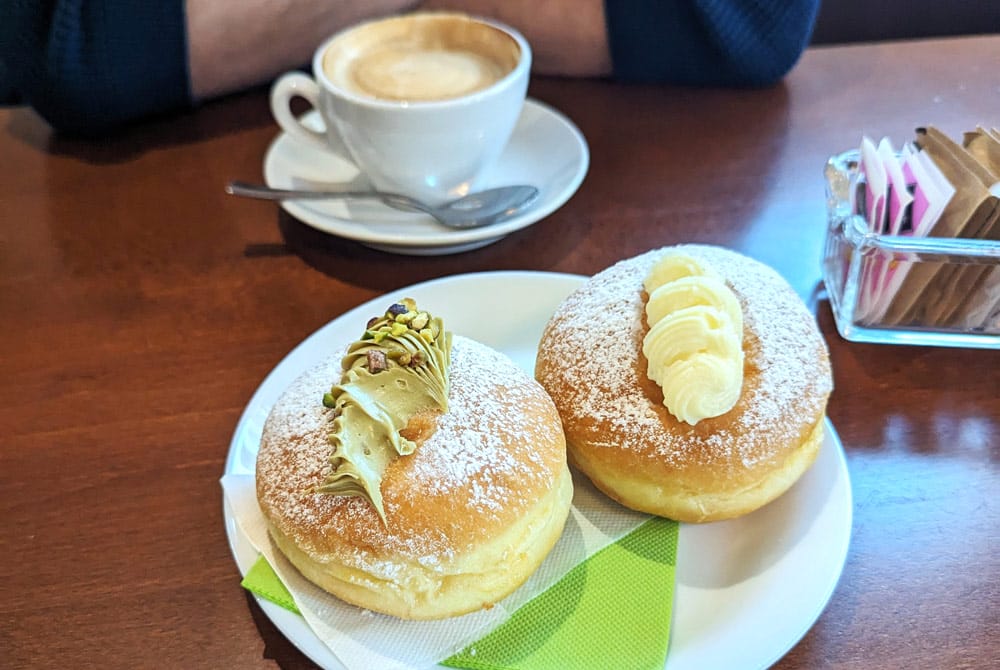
<point>476,498</point>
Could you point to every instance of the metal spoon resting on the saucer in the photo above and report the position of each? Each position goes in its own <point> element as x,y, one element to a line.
<point>472,211</point>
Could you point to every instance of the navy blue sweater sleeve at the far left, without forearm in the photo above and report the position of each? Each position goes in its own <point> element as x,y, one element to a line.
<point>89,65</point>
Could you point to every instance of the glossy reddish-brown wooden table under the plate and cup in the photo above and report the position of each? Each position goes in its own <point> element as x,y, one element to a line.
<point>141,307</point>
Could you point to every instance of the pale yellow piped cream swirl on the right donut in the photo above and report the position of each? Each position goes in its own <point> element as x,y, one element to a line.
<point>694,346</point>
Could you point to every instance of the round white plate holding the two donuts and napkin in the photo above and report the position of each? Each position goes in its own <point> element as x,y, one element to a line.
<point>747,589</point>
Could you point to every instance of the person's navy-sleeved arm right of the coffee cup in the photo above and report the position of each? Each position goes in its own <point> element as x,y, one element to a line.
<point>692,42</point>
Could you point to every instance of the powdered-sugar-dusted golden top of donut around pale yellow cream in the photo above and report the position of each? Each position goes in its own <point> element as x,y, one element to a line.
<point>787,374</point>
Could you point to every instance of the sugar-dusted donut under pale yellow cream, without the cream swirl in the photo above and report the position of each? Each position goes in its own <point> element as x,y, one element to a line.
<point>620,434</point>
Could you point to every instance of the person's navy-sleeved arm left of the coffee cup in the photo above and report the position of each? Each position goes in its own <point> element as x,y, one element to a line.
<point>88,66</point>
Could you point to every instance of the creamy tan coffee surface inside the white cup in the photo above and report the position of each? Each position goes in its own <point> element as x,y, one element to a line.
<point>420,58</point>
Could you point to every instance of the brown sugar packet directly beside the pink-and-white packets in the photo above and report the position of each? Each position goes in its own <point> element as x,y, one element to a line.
<point>924,294</point>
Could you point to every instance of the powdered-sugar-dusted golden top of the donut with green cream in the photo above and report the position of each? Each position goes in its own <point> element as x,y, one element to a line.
<point>496,450</point>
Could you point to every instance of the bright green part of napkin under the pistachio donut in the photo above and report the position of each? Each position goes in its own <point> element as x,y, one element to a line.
<point>615,605</point>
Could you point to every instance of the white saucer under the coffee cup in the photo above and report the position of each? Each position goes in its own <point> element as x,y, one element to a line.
<point>546,150</point>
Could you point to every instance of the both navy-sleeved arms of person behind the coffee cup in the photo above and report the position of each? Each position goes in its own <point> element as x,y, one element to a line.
<point>90,65</point>
